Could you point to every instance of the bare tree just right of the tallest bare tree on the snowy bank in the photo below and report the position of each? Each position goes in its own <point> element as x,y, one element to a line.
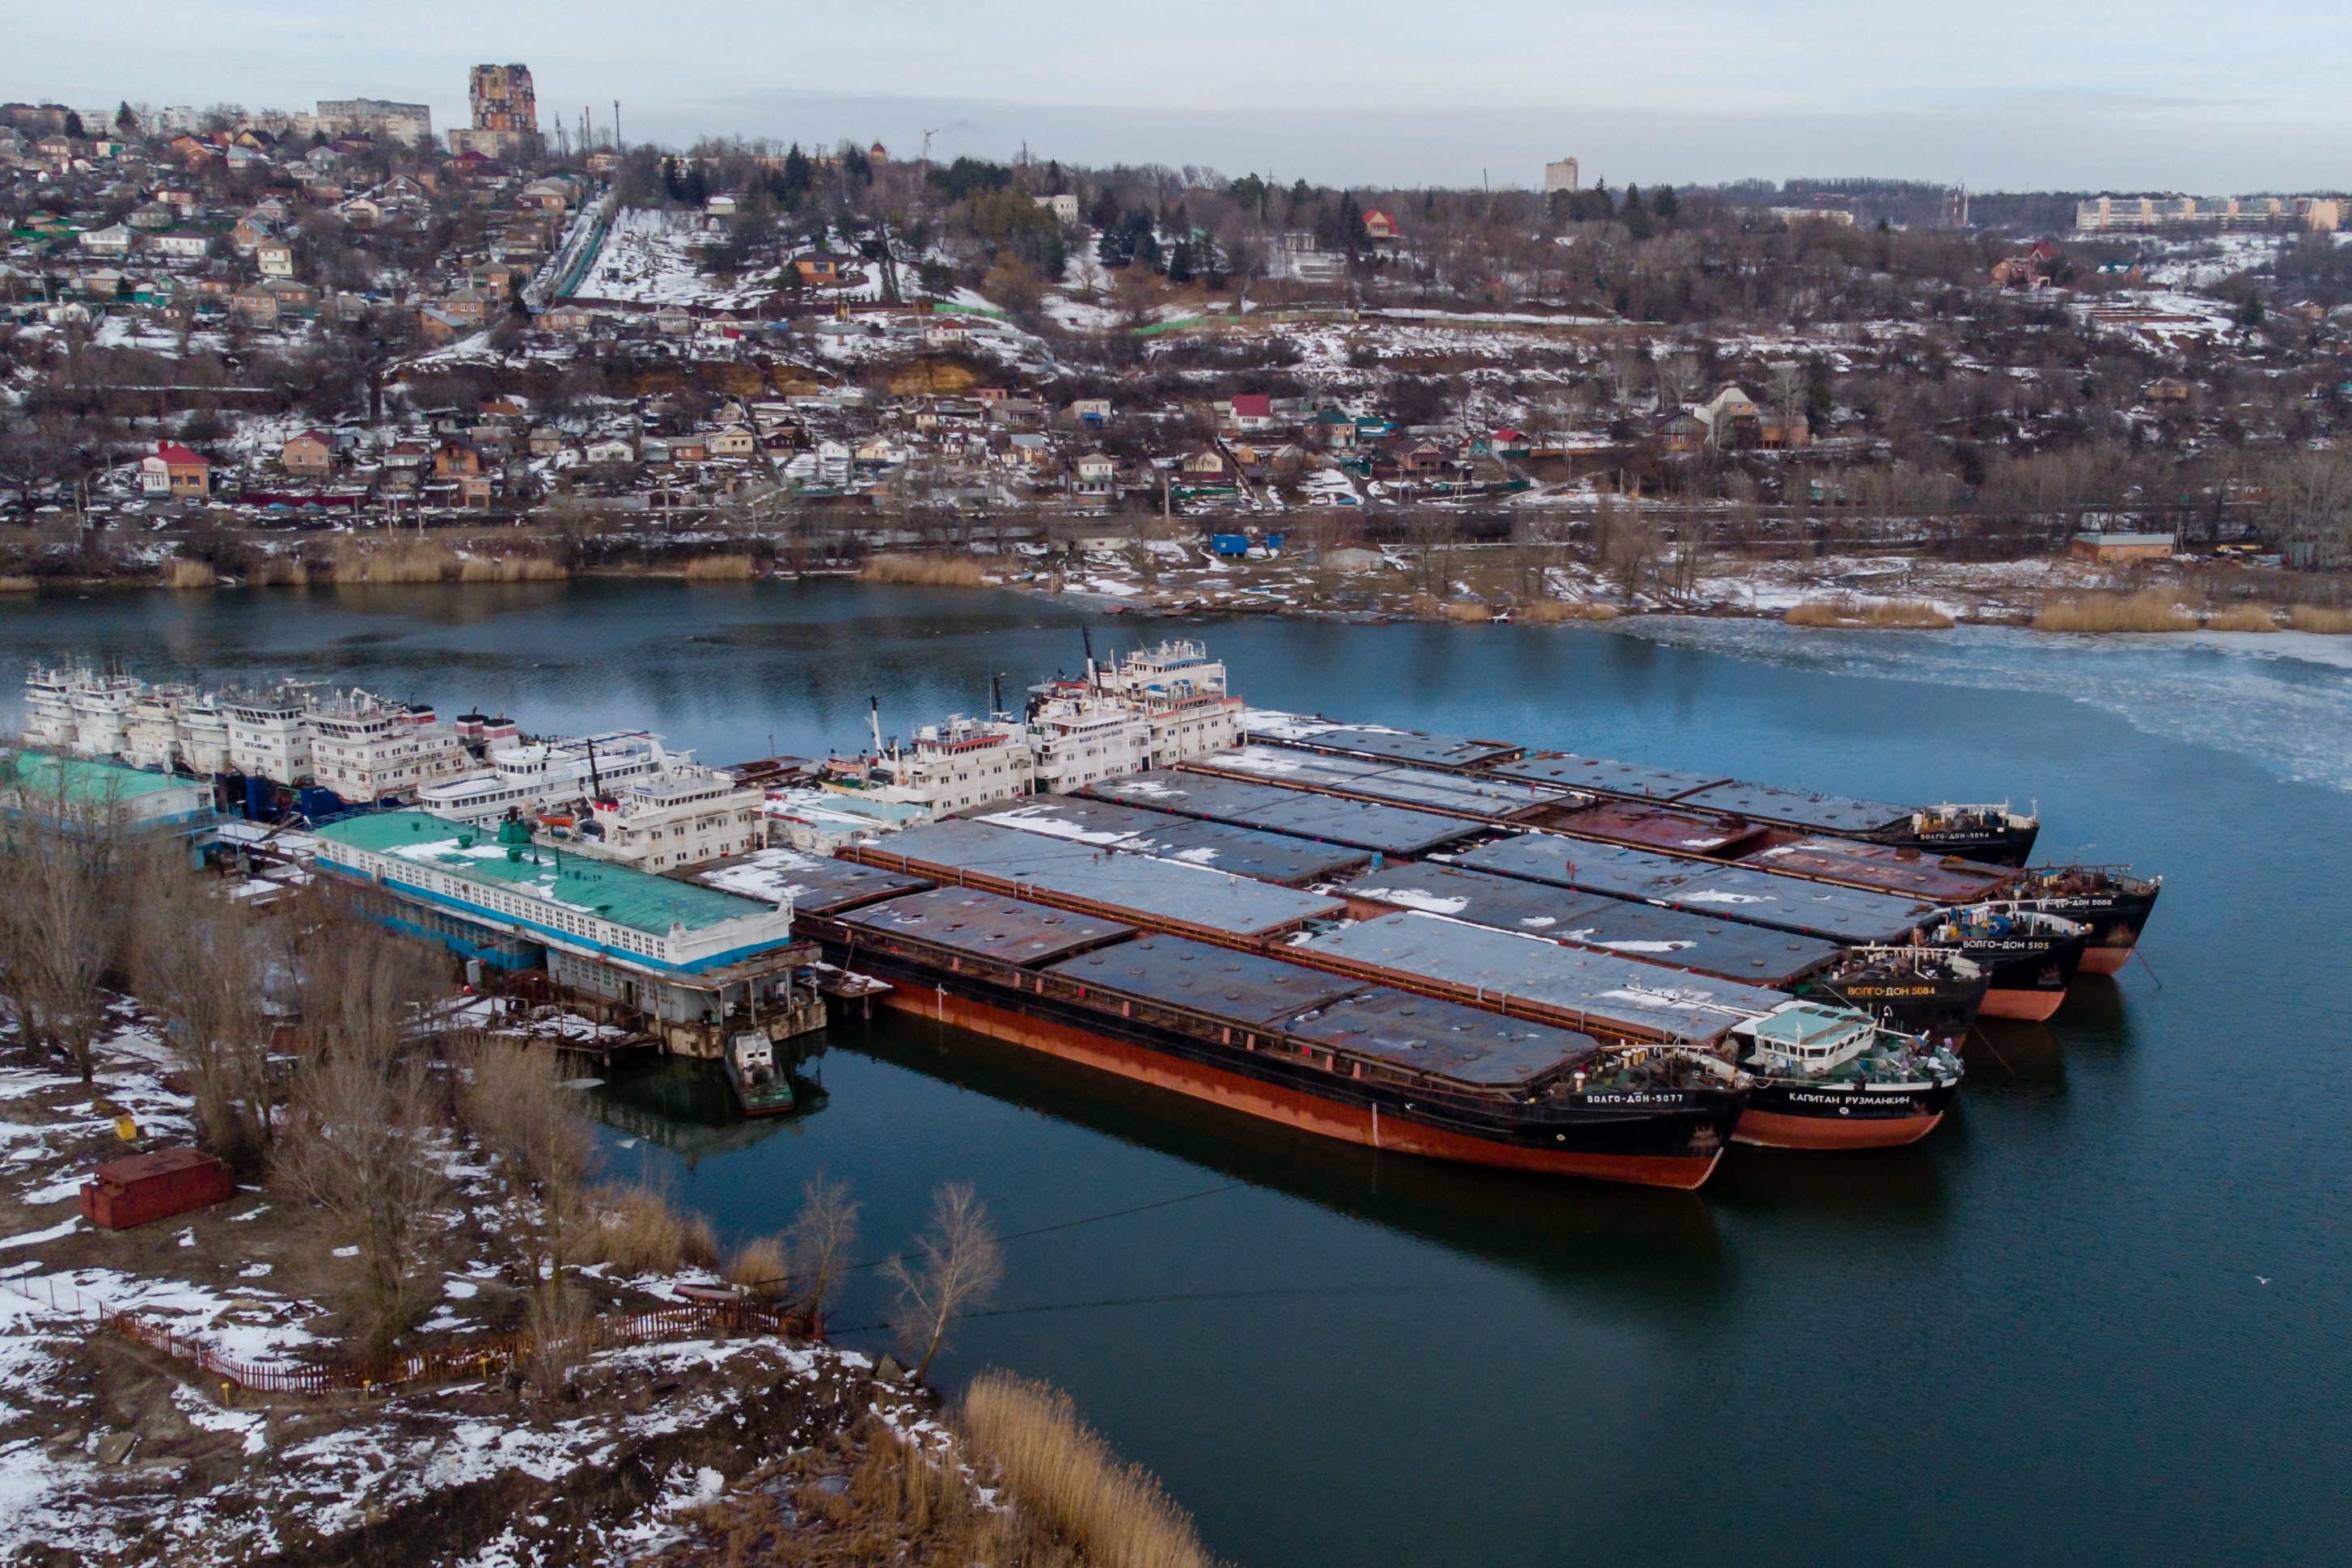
<point>514,1104</point>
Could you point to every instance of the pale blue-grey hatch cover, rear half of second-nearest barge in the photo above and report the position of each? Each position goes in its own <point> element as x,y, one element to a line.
<point>1142,890</point>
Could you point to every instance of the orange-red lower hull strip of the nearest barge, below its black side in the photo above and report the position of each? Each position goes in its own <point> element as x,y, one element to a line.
<point>1285,1106</point>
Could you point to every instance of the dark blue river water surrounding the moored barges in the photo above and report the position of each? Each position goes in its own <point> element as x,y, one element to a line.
<point>2099,1318</point>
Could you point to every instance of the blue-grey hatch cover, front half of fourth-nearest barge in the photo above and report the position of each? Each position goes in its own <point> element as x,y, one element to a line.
<point>1739,894</point>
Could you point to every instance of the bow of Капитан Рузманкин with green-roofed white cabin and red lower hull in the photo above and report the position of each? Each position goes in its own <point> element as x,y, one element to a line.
<point>1826,1078</point>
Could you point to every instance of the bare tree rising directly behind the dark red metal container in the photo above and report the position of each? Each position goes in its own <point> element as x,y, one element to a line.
<point>203,963</point>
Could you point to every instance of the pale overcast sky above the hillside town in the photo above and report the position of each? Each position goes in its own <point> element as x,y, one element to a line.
<point>2092,95</point>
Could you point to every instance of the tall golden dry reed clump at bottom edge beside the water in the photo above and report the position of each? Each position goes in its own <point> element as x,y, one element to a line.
<point>1064,1475</point>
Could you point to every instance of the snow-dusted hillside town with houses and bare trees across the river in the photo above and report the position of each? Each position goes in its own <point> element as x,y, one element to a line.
<point>265,347</point>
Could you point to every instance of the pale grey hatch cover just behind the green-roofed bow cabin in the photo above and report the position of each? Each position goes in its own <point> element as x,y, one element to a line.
<point>1504,972</point>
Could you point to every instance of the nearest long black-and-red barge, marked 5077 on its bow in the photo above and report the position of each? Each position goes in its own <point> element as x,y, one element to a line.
<point>1295,1045</point>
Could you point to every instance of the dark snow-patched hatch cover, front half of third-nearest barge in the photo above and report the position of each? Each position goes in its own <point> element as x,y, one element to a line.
<point>1676,939</point>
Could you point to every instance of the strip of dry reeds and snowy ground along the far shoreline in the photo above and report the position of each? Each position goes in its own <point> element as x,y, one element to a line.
<point>1443,591</point>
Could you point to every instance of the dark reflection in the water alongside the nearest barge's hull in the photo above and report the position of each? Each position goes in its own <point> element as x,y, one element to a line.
<point>1643,1247</point>
